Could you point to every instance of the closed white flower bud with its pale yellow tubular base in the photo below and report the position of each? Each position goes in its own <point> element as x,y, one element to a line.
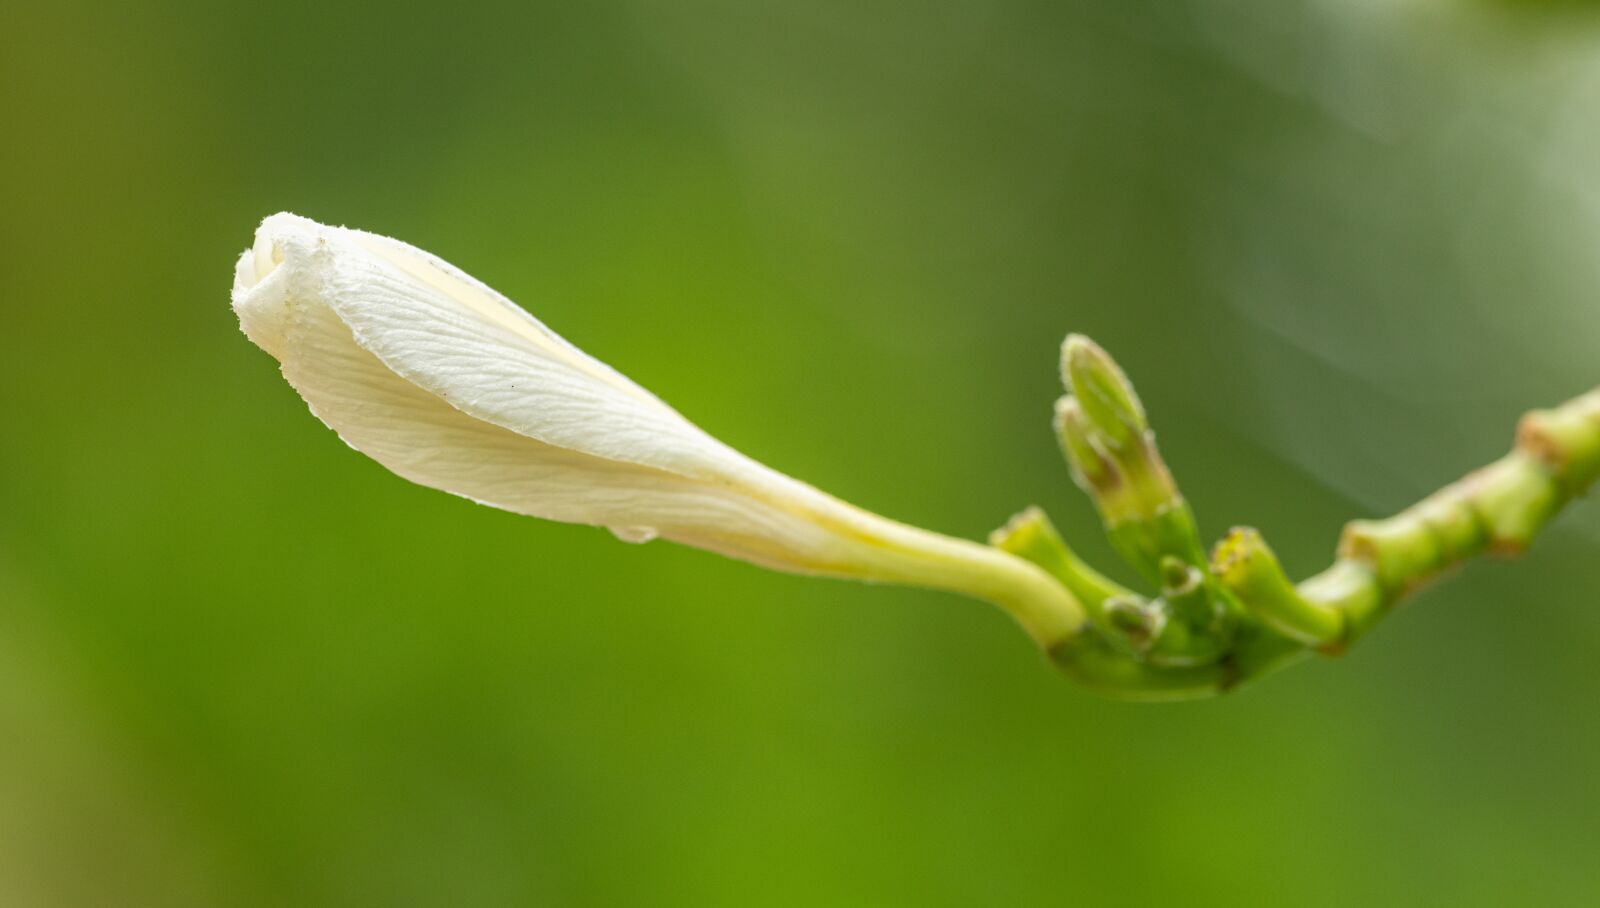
<point>452,386</point>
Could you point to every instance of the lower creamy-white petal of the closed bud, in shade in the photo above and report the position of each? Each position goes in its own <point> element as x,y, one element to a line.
<point>426,440</point>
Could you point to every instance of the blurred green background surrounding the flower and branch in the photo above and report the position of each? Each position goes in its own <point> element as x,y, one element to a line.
<point>1340,245</point>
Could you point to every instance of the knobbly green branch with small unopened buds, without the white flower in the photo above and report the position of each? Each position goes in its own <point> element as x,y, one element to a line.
<point>1236,616</point>
